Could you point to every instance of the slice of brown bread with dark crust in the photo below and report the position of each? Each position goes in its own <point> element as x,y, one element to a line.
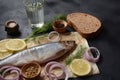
<point>86,24</point>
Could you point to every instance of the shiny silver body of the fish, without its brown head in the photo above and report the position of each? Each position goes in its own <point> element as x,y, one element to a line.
<point>39,53</point>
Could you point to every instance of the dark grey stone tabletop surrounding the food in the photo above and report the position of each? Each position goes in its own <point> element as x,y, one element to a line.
<point>108,42</point>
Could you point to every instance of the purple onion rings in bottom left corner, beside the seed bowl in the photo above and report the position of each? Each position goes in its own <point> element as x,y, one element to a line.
<point>10,69</point>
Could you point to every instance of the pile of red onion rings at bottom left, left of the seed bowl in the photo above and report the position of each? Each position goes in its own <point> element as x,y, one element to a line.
<point>7,70</point>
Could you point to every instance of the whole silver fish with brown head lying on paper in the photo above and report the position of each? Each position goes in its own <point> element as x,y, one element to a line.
<point>41,53</point>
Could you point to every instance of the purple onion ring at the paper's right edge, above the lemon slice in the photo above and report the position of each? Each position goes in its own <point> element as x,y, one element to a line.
<point>88,54</point>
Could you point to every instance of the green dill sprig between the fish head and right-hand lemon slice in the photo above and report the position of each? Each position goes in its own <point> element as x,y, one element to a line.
<point>79,53</point>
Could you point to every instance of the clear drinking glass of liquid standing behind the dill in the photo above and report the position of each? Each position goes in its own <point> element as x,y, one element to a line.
<point>35,12</point>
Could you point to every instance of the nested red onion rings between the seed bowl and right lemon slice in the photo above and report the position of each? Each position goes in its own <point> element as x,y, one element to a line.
<point>53,65</point>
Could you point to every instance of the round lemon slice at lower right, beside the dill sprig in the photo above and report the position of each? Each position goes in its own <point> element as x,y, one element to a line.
<point>80,67</point>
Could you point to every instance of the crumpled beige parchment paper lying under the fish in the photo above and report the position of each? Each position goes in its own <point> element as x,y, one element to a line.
<point>43,39</point>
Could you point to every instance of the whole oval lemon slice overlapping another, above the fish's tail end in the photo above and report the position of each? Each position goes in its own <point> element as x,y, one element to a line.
<point>15,44</point>
